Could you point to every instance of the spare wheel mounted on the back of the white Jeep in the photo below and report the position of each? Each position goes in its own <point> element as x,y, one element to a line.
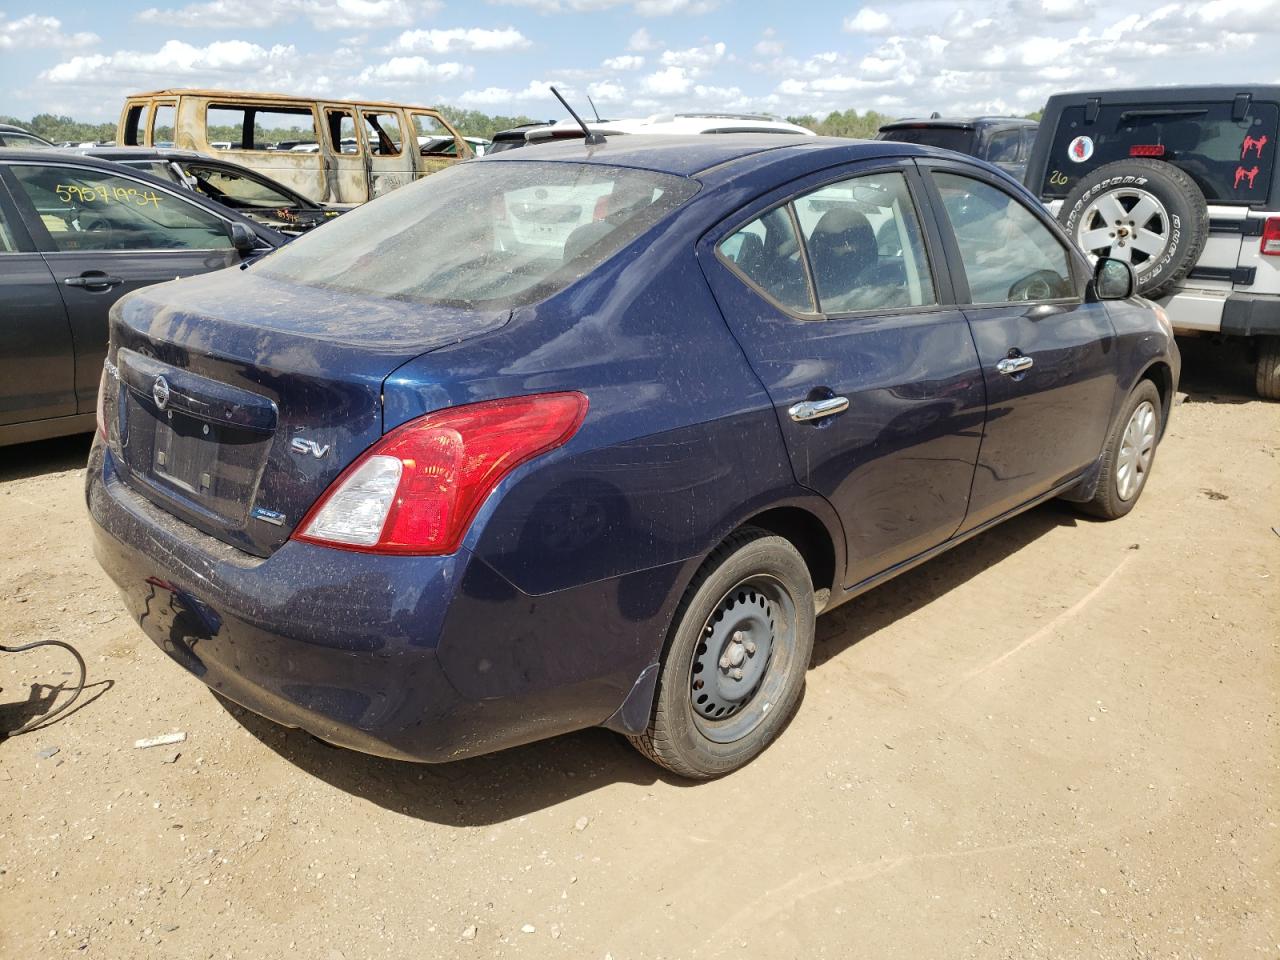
<point>1187,230</point>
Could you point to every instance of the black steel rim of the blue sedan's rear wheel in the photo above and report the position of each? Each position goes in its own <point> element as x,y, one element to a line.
<point>743,659</point>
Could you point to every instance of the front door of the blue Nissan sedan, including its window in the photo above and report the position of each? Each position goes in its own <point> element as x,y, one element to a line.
<point>1048,355</point>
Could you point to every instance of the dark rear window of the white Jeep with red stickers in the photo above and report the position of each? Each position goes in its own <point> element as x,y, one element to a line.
<point>1231,161</point>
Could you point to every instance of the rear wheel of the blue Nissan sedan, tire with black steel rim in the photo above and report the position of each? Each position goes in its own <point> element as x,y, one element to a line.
<point>723,592</point>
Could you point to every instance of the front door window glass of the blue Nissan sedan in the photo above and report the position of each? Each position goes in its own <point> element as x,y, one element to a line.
<point>1008,254</point>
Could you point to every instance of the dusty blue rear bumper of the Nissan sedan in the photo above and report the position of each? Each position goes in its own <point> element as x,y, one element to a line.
<point>415,659</point>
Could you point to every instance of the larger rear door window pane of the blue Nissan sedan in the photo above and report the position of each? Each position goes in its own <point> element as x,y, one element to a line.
<point>865,245</point>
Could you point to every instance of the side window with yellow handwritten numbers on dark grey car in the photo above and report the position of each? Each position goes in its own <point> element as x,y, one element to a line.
<point>86,209</point>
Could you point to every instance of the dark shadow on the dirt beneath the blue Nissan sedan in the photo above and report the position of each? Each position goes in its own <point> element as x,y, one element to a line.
<point>497,788</point>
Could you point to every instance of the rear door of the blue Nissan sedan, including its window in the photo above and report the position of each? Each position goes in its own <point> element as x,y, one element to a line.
<point>838,292</point>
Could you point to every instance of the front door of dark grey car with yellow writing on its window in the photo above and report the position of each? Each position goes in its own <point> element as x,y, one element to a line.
<point>104,235</point>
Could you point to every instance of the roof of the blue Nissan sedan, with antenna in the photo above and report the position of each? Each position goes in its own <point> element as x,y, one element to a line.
<point>698,154</point>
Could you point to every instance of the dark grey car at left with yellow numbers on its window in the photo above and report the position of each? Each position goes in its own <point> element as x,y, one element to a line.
<point>76,235</point>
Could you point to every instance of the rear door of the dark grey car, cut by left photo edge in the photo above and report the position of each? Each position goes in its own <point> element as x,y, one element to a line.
<point>38,378</point>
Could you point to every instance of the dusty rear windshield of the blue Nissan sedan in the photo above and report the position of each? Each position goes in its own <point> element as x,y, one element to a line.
<point>499,235</point>
